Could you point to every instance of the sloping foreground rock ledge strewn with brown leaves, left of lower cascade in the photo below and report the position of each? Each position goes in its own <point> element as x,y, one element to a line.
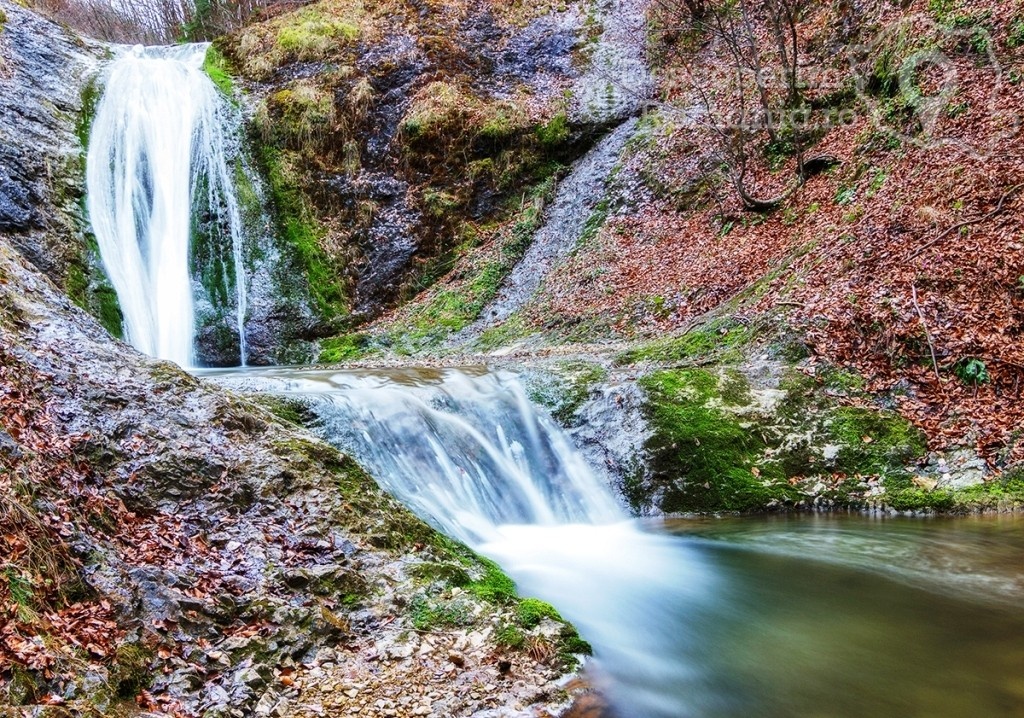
<point>172,548</point>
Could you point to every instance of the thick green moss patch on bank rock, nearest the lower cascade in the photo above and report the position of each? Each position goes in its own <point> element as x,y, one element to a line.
<point>705,457</point>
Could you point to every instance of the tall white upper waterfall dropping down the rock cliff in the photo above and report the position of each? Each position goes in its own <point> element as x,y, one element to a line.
<point>157,161</point>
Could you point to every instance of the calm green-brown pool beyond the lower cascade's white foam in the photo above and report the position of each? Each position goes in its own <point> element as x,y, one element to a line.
<point>832,617</point>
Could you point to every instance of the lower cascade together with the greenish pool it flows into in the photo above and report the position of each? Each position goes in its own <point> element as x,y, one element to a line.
<point>801,617</point>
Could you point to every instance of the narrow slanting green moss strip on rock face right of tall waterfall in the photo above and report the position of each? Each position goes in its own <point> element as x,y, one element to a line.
<point>303,234</point>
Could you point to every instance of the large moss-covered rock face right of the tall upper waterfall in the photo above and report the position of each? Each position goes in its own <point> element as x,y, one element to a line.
<point>389,153</point>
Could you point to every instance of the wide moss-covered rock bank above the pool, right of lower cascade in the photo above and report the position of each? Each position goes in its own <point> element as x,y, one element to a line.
<point>714,448</point>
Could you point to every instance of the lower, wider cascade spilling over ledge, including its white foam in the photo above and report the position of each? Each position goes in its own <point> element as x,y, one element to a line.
<point>468,452</point>
